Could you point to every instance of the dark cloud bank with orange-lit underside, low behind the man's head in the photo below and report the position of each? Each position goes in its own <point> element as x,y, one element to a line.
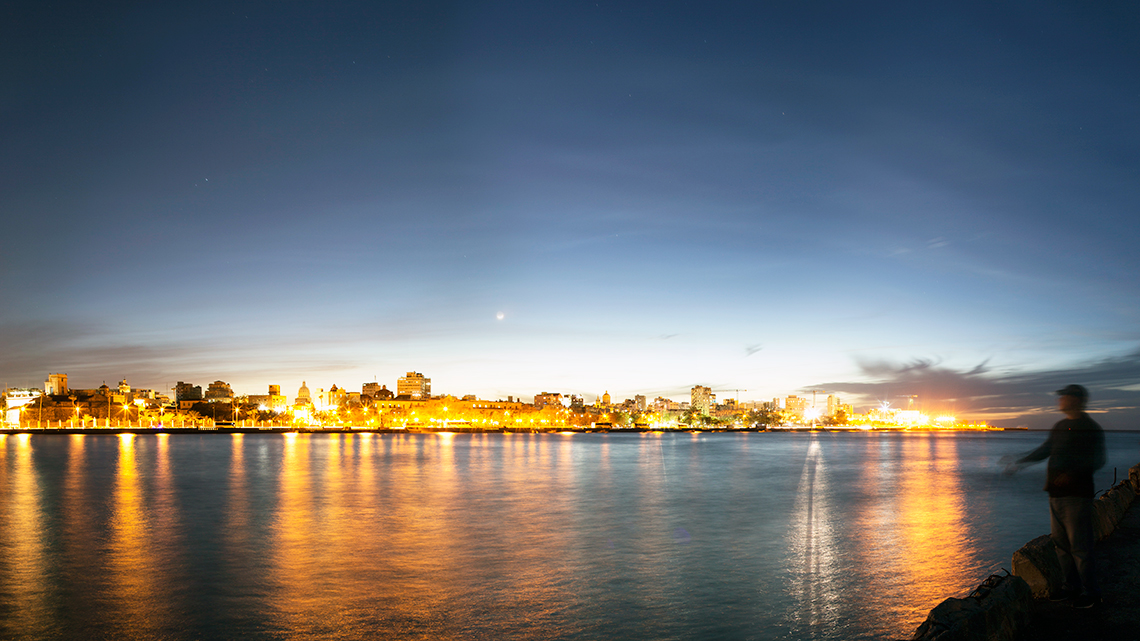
<point>1007,400</point>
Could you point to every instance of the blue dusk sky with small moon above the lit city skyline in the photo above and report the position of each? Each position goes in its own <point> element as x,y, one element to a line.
<point>870,200</point>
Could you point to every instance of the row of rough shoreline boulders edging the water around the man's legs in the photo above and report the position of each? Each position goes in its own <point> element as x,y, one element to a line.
<point>1000,608</point>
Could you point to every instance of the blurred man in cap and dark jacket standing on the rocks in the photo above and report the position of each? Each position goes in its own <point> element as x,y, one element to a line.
<point>1076,450</point>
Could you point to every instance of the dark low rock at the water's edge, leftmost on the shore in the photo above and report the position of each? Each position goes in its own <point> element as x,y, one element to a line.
<point>997,611</point>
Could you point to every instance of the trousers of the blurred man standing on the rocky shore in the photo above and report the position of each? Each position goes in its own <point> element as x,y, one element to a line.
<point>1071,529</point>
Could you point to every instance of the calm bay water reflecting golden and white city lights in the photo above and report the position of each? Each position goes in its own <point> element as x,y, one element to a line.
<point>517,537</point>
